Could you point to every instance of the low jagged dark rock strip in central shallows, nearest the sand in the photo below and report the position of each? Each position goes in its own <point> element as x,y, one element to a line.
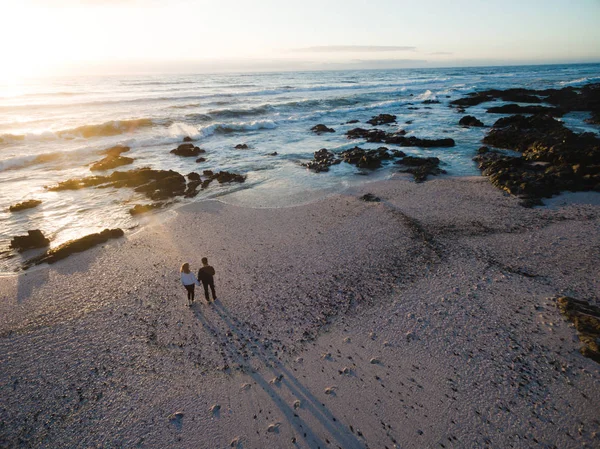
<point>371,159</point>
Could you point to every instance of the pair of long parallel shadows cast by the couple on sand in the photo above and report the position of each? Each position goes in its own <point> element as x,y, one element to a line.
<point>283,378</point>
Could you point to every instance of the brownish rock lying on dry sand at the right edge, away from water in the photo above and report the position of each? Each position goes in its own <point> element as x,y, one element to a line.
<point>586,319</point>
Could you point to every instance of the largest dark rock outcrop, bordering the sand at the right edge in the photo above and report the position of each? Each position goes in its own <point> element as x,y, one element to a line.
<point>553,158</point>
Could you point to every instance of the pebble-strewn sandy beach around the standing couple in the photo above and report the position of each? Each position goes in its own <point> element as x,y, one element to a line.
<point>423,321</point>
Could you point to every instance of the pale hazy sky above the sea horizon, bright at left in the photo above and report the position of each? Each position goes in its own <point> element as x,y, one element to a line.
<point>44,37</point>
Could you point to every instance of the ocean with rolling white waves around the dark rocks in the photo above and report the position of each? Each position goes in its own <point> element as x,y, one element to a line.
<point>52,129</point>
